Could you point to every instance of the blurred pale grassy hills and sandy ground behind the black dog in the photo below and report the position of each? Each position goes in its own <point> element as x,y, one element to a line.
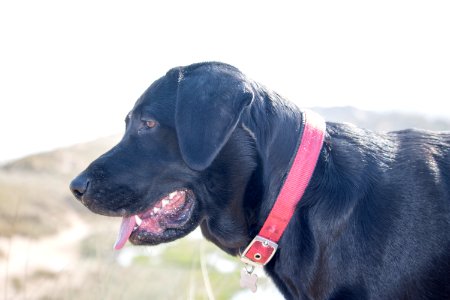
<point>51,247</point>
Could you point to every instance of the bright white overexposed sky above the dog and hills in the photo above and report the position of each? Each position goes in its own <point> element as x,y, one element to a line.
<point>71,70</point>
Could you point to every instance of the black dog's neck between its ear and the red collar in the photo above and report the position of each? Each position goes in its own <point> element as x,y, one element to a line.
<point>275,124</point>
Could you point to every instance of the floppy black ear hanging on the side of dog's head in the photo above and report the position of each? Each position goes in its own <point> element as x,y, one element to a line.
<point>210,100</point>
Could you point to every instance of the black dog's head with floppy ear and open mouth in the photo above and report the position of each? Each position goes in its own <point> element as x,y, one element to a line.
<point>184,160</point>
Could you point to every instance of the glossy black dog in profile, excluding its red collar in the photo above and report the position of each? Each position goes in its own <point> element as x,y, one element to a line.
<point>206,146</point>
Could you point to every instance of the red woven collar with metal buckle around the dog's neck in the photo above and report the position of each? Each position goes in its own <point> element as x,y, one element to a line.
<point>264,245</point>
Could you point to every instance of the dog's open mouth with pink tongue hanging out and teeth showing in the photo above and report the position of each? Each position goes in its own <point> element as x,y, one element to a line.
<point>171,212</point>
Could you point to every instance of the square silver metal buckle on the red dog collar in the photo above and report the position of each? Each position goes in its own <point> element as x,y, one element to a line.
<point>259,252</point>
